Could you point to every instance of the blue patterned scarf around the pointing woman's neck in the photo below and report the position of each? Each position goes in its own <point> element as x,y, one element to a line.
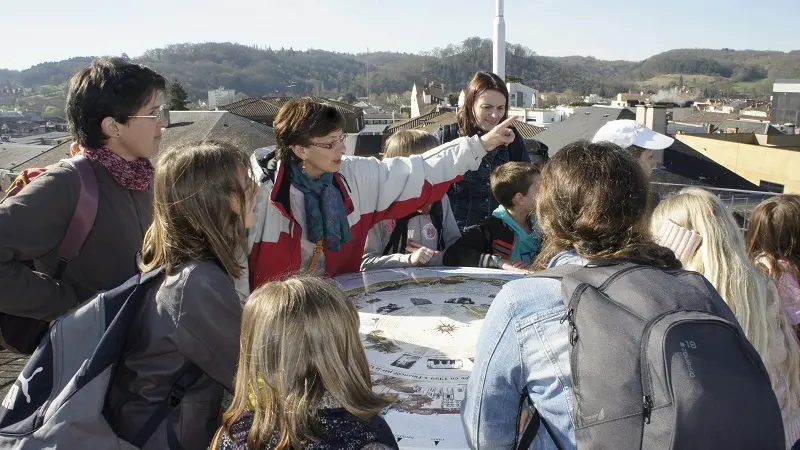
<point>325,213</point>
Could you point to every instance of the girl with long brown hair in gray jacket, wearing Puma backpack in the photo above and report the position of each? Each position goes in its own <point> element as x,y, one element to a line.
<point>189,328</point>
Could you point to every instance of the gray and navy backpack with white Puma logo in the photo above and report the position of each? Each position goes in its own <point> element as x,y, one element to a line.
<point>59,397</point>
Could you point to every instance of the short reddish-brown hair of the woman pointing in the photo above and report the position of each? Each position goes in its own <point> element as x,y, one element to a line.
<point>299,120</point>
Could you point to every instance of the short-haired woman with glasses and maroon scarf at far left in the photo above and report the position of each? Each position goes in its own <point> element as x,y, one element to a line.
<point>114,114</point>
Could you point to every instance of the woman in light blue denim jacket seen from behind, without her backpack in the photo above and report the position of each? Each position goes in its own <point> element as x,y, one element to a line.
<point>592,205</point>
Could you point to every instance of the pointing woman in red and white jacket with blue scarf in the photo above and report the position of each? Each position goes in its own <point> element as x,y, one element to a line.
<point>317,205</point>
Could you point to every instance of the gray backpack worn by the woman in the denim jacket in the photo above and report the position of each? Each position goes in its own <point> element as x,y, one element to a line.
<point>658,361</point>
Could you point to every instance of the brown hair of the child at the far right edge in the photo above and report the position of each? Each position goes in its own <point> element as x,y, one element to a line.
<point>774,233</point>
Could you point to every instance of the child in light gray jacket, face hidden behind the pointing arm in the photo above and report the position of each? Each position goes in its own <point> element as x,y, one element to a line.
<point>421,238</point>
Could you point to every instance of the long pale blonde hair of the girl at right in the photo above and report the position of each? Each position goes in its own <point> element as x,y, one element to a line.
<point>752,297</point>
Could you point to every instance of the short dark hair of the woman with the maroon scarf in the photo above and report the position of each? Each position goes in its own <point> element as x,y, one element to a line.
<point>108,87</point>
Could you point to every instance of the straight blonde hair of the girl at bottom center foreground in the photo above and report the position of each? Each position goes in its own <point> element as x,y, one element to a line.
<point>300,340</point>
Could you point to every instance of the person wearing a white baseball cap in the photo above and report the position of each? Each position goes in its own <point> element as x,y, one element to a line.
<point>636,138</point>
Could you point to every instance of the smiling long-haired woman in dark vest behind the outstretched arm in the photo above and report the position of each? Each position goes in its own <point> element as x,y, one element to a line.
<point>485,105</point>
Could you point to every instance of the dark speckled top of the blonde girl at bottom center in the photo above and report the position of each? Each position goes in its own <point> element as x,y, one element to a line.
<point>338,430</point>
